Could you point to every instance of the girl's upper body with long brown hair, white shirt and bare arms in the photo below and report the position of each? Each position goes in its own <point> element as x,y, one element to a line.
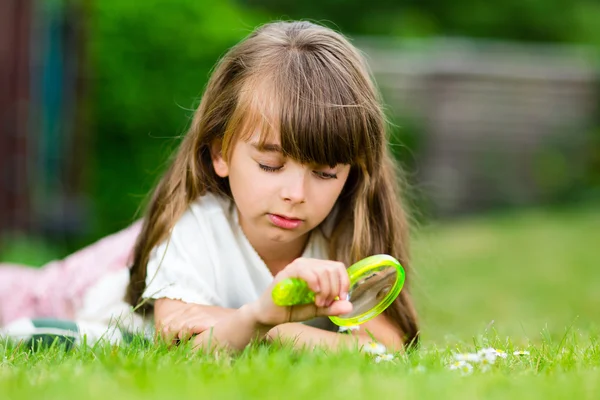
<point>284,172</point>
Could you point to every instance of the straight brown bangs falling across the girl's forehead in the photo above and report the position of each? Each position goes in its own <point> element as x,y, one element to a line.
<point>312,114</point>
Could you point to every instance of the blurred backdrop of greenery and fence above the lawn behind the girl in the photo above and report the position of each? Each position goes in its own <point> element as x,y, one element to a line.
<point>112,85</point>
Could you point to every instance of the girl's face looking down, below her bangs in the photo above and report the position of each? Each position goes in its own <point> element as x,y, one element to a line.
<point>278,199</point>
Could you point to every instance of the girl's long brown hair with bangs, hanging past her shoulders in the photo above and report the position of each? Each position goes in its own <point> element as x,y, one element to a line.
<point>309,85</point>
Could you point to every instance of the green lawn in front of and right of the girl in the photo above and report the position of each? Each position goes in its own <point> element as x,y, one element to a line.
<point>526,280</point>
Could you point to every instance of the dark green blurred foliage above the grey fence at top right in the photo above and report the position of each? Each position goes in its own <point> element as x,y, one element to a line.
<point>532,20</point>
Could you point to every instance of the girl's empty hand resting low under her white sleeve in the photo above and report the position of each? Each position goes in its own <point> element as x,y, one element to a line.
<point>176,320</point>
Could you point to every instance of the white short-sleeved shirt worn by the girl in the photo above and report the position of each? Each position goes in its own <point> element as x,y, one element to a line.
<point>208,259</point>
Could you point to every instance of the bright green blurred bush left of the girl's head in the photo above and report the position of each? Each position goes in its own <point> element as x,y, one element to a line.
<point>150,64</point>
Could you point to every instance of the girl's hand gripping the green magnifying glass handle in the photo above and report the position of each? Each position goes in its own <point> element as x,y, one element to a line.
<point>328,279</point>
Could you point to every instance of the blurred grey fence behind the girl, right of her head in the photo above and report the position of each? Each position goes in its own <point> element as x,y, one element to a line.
<point>501,123</point>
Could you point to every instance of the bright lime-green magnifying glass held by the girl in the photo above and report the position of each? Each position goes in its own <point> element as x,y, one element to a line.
<point>375,282</point>
